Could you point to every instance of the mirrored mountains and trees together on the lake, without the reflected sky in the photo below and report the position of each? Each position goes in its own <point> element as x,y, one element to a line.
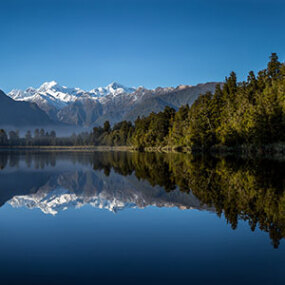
<point>252,191</point>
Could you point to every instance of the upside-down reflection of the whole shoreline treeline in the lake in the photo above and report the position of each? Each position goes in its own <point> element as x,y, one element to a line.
<point>249,190</point>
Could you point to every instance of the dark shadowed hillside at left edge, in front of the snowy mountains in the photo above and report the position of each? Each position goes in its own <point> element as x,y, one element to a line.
<point>13,113</point>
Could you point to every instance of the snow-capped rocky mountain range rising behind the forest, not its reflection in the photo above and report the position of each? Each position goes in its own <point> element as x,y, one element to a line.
<point>114,102</point>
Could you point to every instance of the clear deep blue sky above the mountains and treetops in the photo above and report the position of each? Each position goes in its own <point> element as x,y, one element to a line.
<point>151,43</point>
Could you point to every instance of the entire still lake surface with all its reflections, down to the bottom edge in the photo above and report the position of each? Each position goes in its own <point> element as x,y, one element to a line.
<point>130,218</point>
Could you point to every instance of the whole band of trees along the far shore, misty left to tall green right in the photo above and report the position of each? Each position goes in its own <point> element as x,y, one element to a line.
<point>250,112</point>
